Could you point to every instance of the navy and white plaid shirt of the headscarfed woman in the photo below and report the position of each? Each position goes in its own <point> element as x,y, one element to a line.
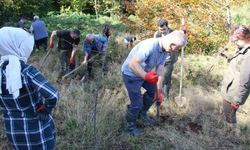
<point>23,128</point>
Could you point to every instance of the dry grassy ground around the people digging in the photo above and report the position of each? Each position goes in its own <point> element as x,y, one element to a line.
<point>198,124</point>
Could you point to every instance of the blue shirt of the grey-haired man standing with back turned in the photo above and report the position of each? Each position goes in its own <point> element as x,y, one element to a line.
<point>39,29</point>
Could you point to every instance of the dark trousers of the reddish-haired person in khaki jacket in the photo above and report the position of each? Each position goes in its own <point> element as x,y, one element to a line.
<point>230,114</point>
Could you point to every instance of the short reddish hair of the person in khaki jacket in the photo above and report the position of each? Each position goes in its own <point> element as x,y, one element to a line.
<point>241,32</point>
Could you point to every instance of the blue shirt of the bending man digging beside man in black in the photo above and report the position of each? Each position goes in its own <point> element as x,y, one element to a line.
<point>99,44</point>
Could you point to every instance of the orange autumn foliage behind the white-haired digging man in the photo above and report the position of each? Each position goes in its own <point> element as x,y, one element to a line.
<point>207,20</point>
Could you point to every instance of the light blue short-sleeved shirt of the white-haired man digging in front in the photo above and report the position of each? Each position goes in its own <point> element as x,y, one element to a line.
<point>150,53</point>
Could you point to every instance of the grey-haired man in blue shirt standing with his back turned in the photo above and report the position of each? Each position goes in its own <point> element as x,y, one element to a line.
<point>40,32</point>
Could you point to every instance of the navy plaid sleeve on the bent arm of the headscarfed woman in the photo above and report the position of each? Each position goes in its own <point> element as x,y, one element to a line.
<point>44,88</point>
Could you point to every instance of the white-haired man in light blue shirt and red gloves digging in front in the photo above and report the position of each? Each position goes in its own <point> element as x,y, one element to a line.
<point>137,72</point>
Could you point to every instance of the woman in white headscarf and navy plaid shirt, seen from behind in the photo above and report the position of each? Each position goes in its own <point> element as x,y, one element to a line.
<point>26,97</point>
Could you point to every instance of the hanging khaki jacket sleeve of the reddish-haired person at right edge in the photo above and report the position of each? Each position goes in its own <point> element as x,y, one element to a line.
<point>244,88</point>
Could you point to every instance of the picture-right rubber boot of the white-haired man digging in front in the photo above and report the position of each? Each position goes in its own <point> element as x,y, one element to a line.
<point>147,102</point>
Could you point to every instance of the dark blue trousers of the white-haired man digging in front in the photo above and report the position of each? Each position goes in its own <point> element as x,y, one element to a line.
<point>133,86</point>
